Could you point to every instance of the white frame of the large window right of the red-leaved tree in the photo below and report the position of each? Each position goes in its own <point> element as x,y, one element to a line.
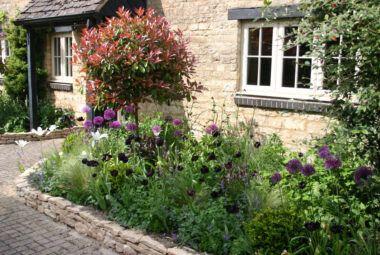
<point>275,89</point>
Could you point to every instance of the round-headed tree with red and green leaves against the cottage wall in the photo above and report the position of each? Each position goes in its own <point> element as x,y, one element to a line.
<point>135,58</point>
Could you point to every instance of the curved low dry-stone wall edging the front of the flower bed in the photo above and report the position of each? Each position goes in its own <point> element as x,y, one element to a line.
<point>91,222</point>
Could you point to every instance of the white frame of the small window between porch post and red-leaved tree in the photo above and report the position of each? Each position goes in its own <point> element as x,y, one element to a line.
<point>64,76</point>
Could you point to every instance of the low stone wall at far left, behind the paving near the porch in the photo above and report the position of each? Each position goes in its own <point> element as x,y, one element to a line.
<point>9,138</point>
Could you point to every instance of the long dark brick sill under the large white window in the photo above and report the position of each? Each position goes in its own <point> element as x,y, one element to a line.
<point>281,104</point>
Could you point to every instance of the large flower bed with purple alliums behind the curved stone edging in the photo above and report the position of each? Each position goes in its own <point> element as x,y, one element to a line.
<point>217,194</point>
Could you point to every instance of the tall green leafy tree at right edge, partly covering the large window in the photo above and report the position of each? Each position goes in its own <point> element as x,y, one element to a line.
<point>345,37</point>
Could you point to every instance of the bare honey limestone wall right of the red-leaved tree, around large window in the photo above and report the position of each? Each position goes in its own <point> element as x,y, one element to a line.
<point>215,41</point>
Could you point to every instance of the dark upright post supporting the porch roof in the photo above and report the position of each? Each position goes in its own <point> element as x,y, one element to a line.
<point>32,86</point>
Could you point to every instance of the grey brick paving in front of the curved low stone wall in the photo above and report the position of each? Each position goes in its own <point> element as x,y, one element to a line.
<point>24,230</point>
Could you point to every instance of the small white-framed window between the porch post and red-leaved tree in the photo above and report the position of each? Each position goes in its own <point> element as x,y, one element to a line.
<point>62,55</point>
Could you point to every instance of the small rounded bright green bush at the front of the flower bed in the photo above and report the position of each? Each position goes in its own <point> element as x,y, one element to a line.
<point>272,229</point>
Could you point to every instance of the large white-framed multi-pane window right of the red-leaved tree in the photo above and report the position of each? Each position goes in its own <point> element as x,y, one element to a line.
<point>270,70</point>
